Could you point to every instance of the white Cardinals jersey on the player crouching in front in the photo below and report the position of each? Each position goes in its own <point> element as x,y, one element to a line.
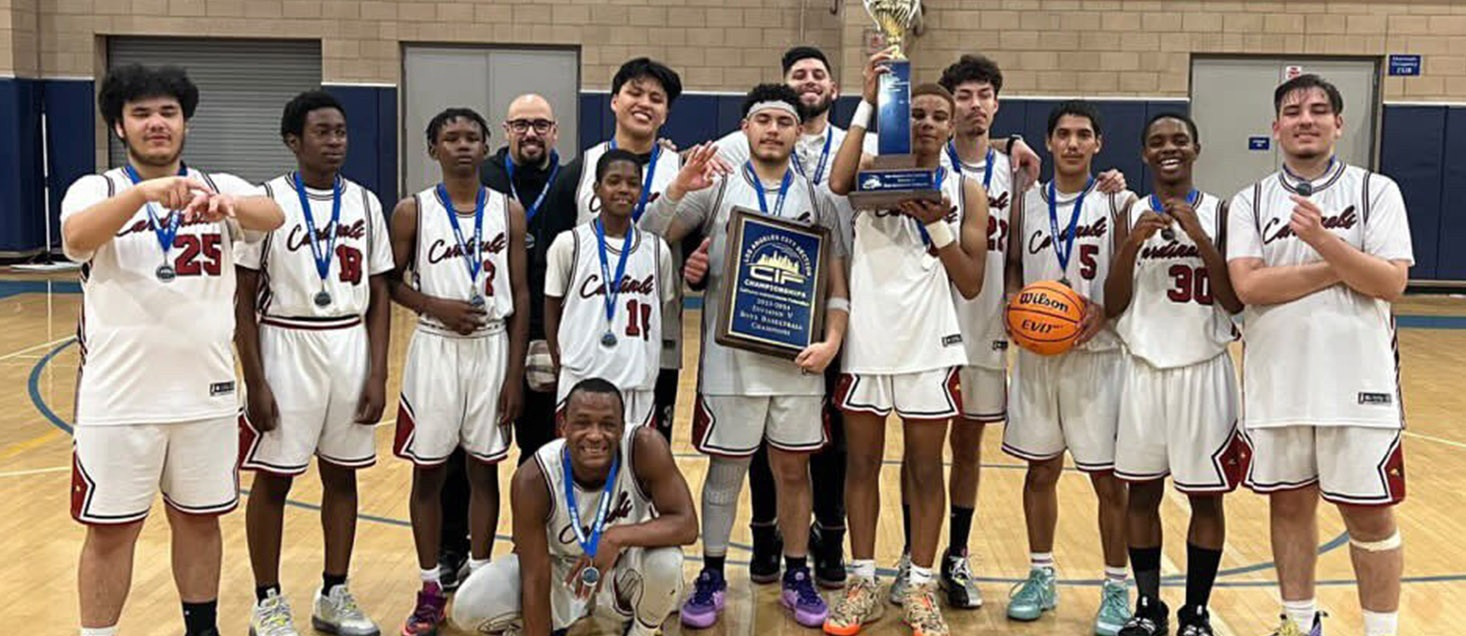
<point>630,503</point>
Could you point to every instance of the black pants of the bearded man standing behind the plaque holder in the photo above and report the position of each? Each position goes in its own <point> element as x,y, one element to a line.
<point>826,470</point>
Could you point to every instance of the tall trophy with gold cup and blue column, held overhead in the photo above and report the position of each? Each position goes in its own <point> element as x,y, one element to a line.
<point>895,177</point>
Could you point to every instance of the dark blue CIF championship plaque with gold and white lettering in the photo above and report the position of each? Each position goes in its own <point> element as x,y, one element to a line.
<point>775,285</point>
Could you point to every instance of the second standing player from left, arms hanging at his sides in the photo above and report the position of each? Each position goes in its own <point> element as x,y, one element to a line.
<point>314,373</point>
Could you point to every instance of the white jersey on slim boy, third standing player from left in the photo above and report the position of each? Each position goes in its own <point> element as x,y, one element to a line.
<point>439,267</point>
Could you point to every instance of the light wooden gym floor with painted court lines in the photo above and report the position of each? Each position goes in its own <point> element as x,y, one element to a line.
<point>37,380</point>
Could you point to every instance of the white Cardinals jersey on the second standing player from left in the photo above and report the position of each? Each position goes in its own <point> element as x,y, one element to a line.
<point>291,281</point>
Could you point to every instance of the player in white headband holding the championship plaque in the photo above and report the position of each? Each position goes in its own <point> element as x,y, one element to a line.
<point>747,399</point>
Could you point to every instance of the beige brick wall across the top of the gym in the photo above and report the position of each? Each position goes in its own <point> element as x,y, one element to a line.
<point>1047,48</point>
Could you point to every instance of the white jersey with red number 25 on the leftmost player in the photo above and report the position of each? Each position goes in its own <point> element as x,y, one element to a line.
<point>156,352</point>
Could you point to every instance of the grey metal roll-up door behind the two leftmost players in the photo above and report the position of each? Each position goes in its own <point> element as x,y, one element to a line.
<point>243,84</point>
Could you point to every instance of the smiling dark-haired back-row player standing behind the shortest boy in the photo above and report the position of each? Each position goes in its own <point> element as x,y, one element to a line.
<point>643,93</point>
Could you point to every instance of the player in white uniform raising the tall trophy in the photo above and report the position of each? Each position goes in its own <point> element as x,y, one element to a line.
<point>905,347</point>
